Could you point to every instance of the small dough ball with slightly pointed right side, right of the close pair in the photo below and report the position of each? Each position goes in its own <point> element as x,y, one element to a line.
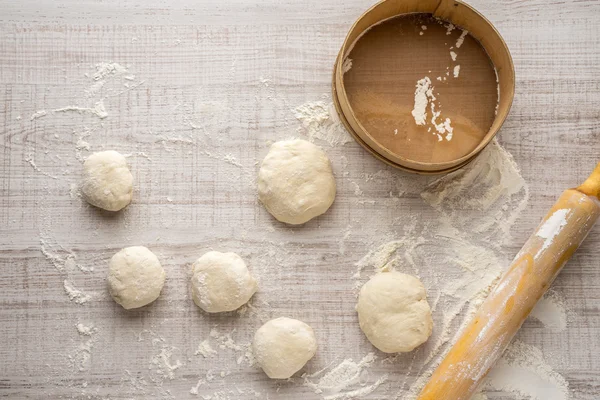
<point>221,282</point>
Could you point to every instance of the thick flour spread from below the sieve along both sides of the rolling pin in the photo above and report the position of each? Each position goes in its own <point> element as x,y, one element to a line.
<point>480,201</point>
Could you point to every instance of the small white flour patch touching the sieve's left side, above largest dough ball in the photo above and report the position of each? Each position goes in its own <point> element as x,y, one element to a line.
<point>320,121</point>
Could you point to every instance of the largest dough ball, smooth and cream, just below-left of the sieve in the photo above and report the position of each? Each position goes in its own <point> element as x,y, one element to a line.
<point>295,181</point>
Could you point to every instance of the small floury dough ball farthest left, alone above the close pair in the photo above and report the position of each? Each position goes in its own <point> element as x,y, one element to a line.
<point>107,182</point>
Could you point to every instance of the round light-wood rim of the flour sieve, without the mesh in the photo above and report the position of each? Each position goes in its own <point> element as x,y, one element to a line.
<point>458,13</point>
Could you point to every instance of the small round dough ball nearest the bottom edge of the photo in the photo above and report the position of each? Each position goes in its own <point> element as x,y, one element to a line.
<point>283,346</point>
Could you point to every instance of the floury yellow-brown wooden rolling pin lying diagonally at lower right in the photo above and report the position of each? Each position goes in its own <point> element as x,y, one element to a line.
<point>533,270</point>
